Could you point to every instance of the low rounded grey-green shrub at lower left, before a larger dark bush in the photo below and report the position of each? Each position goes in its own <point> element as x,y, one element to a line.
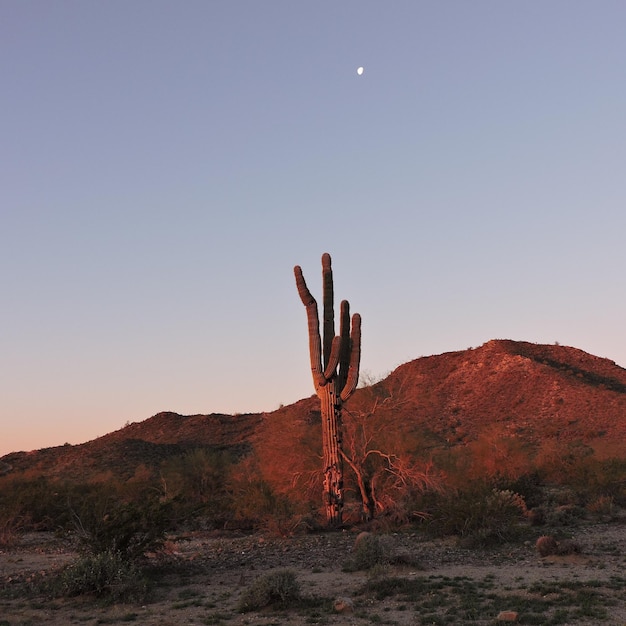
<point>104,574</point>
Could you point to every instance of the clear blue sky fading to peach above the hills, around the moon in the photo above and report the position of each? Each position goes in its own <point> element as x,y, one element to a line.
<point>164,165</point>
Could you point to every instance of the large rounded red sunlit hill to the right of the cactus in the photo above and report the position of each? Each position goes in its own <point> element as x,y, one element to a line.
<point>537,391</point>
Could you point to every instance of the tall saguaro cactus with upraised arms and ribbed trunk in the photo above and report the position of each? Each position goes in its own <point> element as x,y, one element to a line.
<point>335,361</point>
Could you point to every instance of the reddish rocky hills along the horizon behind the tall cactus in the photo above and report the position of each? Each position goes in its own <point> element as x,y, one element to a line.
<point>527,392</point>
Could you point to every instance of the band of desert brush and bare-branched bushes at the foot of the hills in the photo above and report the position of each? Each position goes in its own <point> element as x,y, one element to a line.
<point>398,475</point>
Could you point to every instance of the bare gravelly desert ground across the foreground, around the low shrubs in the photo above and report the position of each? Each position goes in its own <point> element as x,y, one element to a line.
<point>200,577</point>
